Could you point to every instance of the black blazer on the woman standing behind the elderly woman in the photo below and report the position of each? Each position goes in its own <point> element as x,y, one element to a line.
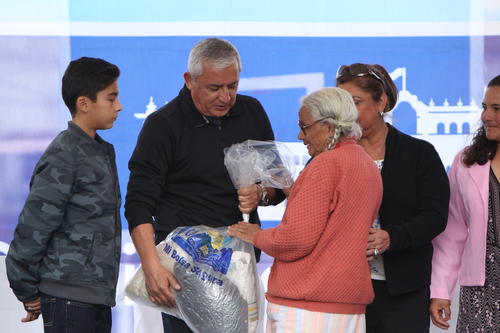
<point>414,209</point>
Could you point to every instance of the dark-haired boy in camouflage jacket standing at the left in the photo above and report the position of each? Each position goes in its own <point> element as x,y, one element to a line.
<point>63,261</point>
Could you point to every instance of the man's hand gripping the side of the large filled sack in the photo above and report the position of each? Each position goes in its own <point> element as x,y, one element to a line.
<point>158,283</point>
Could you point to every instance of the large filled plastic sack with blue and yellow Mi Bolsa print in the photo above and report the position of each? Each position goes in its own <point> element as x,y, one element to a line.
<point>221,290</point>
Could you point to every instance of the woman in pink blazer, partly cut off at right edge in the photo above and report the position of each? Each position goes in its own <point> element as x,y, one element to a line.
<point>469,248</point>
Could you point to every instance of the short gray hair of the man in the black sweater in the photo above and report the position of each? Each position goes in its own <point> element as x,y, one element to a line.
<point>219,53</point>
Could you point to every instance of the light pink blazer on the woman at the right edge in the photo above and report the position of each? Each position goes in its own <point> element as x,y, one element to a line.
<point>460,251</point>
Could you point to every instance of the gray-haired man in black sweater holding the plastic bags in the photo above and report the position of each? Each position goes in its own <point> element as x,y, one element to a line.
<point>177,172</point>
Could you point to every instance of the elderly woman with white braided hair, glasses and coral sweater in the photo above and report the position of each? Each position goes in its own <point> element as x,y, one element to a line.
<point>320,279</point>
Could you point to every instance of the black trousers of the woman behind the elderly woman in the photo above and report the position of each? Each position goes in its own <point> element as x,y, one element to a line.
<point>404,313</point>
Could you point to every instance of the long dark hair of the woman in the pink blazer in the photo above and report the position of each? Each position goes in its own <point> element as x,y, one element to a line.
<point>481,150</point>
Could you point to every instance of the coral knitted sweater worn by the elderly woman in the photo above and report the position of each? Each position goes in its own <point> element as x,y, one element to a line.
<point>319,247</point>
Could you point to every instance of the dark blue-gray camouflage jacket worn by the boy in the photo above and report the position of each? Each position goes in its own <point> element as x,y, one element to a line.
<point>67,242</point>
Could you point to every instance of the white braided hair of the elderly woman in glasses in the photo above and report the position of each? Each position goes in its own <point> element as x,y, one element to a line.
<point>335,106</point>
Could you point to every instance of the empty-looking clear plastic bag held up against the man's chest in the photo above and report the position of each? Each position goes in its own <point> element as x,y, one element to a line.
<point>268,162</point>
